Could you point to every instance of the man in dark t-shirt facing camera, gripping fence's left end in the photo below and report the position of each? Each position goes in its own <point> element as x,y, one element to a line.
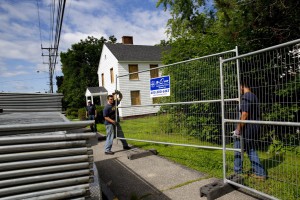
<point>112,122</point>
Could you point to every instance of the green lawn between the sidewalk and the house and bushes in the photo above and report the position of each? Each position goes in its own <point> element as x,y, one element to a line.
<point>283,169</point>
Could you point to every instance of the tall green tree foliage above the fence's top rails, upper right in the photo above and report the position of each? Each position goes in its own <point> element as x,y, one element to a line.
<point>200,28</point>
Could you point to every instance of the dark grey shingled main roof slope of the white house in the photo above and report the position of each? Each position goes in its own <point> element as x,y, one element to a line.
<point>125,52</point>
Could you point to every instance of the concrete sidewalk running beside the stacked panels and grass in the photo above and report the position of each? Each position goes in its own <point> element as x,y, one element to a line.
<point>150,177</point>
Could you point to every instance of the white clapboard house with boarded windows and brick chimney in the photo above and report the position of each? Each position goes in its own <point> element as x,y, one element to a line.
<point>125,58</point>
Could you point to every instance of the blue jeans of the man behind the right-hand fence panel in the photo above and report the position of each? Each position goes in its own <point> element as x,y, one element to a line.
<point>254,159</point>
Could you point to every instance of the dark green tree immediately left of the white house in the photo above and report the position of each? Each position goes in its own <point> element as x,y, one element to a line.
<point>79,66</point>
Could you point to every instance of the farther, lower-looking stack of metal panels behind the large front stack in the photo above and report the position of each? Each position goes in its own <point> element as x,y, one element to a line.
<point>30,102</point>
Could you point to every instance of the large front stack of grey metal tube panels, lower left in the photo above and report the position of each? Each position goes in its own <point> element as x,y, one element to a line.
<point>44,161</point>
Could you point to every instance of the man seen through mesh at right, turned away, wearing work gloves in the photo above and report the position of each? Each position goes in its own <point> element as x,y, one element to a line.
<point>249,111</point>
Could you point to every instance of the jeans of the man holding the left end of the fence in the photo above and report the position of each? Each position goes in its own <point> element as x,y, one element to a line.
<point>110,132</point>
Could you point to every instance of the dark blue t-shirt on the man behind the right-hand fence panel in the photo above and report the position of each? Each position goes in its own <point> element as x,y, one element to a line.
<point>250,104</point>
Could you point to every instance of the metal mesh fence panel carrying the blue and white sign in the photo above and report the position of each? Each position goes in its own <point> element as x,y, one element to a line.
<point>189,116</point>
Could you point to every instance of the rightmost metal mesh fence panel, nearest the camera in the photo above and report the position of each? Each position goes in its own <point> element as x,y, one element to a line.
<point>273,74</point>
